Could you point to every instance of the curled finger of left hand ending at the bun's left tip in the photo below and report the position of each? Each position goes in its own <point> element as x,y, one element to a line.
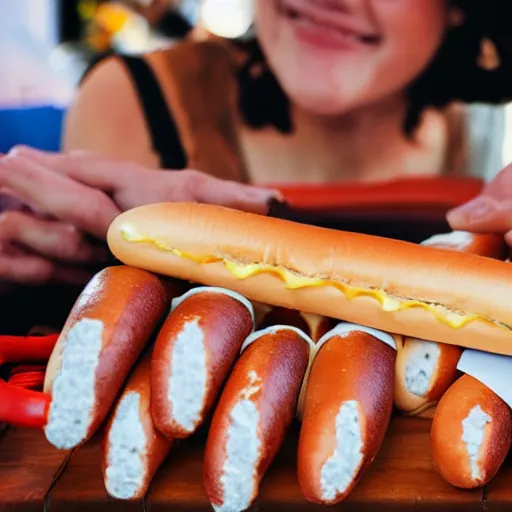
<point>51,239</point>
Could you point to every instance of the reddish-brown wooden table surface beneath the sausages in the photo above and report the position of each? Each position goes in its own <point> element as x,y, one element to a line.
<point>36,477</point>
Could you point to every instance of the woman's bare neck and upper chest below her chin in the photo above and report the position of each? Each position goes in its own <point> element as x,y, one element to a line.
<point>367,145</point>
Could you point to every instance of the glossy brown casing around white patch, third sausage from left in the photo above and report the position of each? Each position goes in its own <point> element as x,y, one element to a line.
<point>225,323</point>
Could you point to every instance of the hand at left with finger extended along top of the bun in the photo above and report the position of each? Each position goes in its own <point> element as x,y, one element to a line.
<point>70,196</point>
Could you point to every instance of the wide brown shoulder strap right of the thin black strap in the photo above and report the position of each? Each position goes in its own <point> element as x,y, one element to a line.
<point>201,89</point>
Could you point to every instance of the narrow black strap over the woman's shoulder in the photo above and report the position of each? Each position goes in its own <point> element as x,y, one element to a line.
<point>162,128</point>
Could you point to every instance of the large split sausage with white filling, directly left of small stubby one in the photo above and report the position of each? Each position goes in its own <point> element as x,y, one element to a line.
<point>347,407</point>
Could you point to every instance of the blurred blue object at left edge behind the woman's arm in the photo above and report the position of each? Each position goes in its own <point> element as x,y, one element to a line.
<point>36,126</point>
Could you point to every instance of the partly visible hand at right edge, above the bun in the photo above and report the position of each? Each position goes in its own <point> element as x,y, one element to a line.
<point>490,211</point>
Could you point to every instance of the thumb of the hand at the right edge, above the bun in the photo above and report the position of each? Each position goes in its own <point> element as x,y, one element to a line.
<point>482,214</point>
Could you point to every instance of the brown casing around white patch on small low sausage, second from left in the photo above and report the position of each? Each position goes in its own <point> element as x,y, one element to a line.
<point>157,446</point>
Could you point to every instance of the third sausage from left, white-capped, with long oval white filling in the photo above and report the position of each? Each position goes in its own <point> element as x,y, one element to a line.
<point>193,353</point>
